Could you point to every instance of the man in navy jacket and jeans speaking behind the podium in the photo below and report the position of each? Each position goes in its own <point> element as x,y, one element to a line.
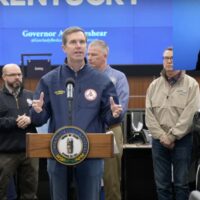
<point>93,107</point>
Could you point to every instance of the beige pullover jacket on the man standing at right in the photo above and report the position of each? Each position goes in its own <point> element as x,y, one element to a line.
<point>170,109</point>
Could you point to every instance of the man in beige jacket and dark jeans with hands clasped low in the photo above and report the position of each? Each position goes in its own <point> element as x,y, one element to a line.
<point>171,101</point>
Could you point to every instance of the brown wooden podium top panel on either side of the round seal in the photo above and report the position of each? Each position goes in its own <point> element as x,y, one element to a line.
<point>38,145</point>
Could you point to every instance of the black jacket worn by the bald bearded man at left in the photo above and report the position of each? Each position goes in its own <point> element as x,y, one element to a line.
<point>12,138</point>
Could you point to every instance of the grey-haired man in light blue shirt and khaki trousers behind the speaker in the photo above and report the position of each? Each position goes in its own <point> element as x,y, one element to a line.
<point>97,58</point>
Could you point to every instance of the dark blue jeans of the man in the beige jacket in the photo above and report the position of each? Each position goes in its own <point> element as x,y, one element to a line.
<point>163,160</point>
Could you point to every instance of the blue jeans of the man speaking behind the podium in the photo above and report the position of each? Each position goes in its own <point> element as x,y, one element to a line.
<point>88,176</point>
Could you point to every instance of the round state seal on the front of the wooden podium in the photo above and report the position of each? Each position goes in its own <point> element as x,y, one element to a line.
<point>69,145</point>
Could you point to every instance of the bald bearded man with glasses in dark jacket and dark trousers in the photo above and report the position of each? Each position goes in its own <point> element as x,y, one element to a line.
<point>14,124</point>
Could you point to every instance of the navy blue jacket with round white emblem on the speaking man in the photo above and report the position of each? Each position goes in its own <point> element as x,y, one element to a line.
<point>89,114</point>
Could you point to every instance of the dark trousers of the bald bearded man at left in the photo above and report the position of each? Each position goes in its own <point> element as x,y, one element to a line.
<point>27,175</point>
